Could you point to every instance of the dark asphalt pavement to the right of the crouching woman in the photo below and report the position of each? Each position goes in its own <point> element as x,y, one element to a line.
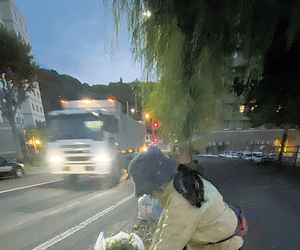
<point>265,193</point>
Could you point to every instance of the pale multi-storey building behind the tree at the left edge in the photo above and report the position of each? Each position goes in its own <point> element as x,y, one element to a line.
<point>31,112</point>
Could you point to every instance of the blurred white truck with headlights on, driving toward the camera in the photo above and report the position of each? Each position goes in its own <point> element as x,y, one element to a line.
<point>92,137</point>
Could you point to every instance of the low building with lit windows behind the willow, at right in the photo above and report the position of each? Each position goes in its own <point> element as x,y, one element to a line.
<point>236,133</point>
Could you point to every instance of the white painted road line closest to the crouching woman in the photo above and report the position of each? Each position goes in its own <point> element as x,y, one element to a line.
<point>82,225</point>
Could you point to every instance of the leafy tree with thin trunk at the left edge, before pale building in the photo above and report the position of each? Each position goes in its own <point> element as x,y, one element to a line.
<point>17,72</point>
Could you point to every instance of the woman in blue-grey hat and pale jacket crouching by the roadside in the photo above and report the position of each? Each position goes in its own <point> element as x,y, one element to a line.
<point>194,214</point>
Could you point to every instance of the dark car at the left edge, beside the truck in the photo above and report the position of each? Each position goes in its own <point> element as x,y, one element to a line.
<point>11,168</point>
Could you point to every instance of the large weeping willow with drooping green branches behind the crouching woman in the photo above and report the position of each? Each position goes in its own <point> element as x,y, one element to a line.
<point>189,46</point>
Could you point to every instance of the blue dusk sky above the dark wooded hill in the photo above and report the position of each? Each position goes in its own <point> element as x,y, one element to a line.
<point>69,36</point>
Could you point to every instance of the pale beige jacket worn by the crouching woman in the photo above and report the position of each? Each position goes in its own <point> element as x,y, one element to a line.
<point>182,224</point>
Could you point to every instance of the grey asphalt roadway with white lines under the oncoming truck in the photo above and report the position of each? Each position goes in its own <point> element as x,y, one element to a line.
<point>45,212</point>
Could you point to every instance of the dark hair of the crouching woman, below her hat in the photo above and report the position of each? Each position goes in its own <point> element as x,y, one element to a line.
<point>188,183</point>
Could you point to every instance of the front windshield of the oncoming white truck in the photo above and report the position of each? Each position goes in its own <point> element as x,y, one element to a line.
<point>83,126</point>
